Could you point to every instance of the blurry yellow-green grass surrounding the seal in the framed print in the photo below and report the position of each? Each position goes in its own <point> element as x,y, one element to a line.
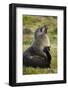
<point>31,23</point>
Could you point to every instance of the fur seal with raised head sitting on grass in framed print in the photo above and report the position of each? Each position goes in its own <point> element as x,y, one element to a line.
<point>38,54</point>
